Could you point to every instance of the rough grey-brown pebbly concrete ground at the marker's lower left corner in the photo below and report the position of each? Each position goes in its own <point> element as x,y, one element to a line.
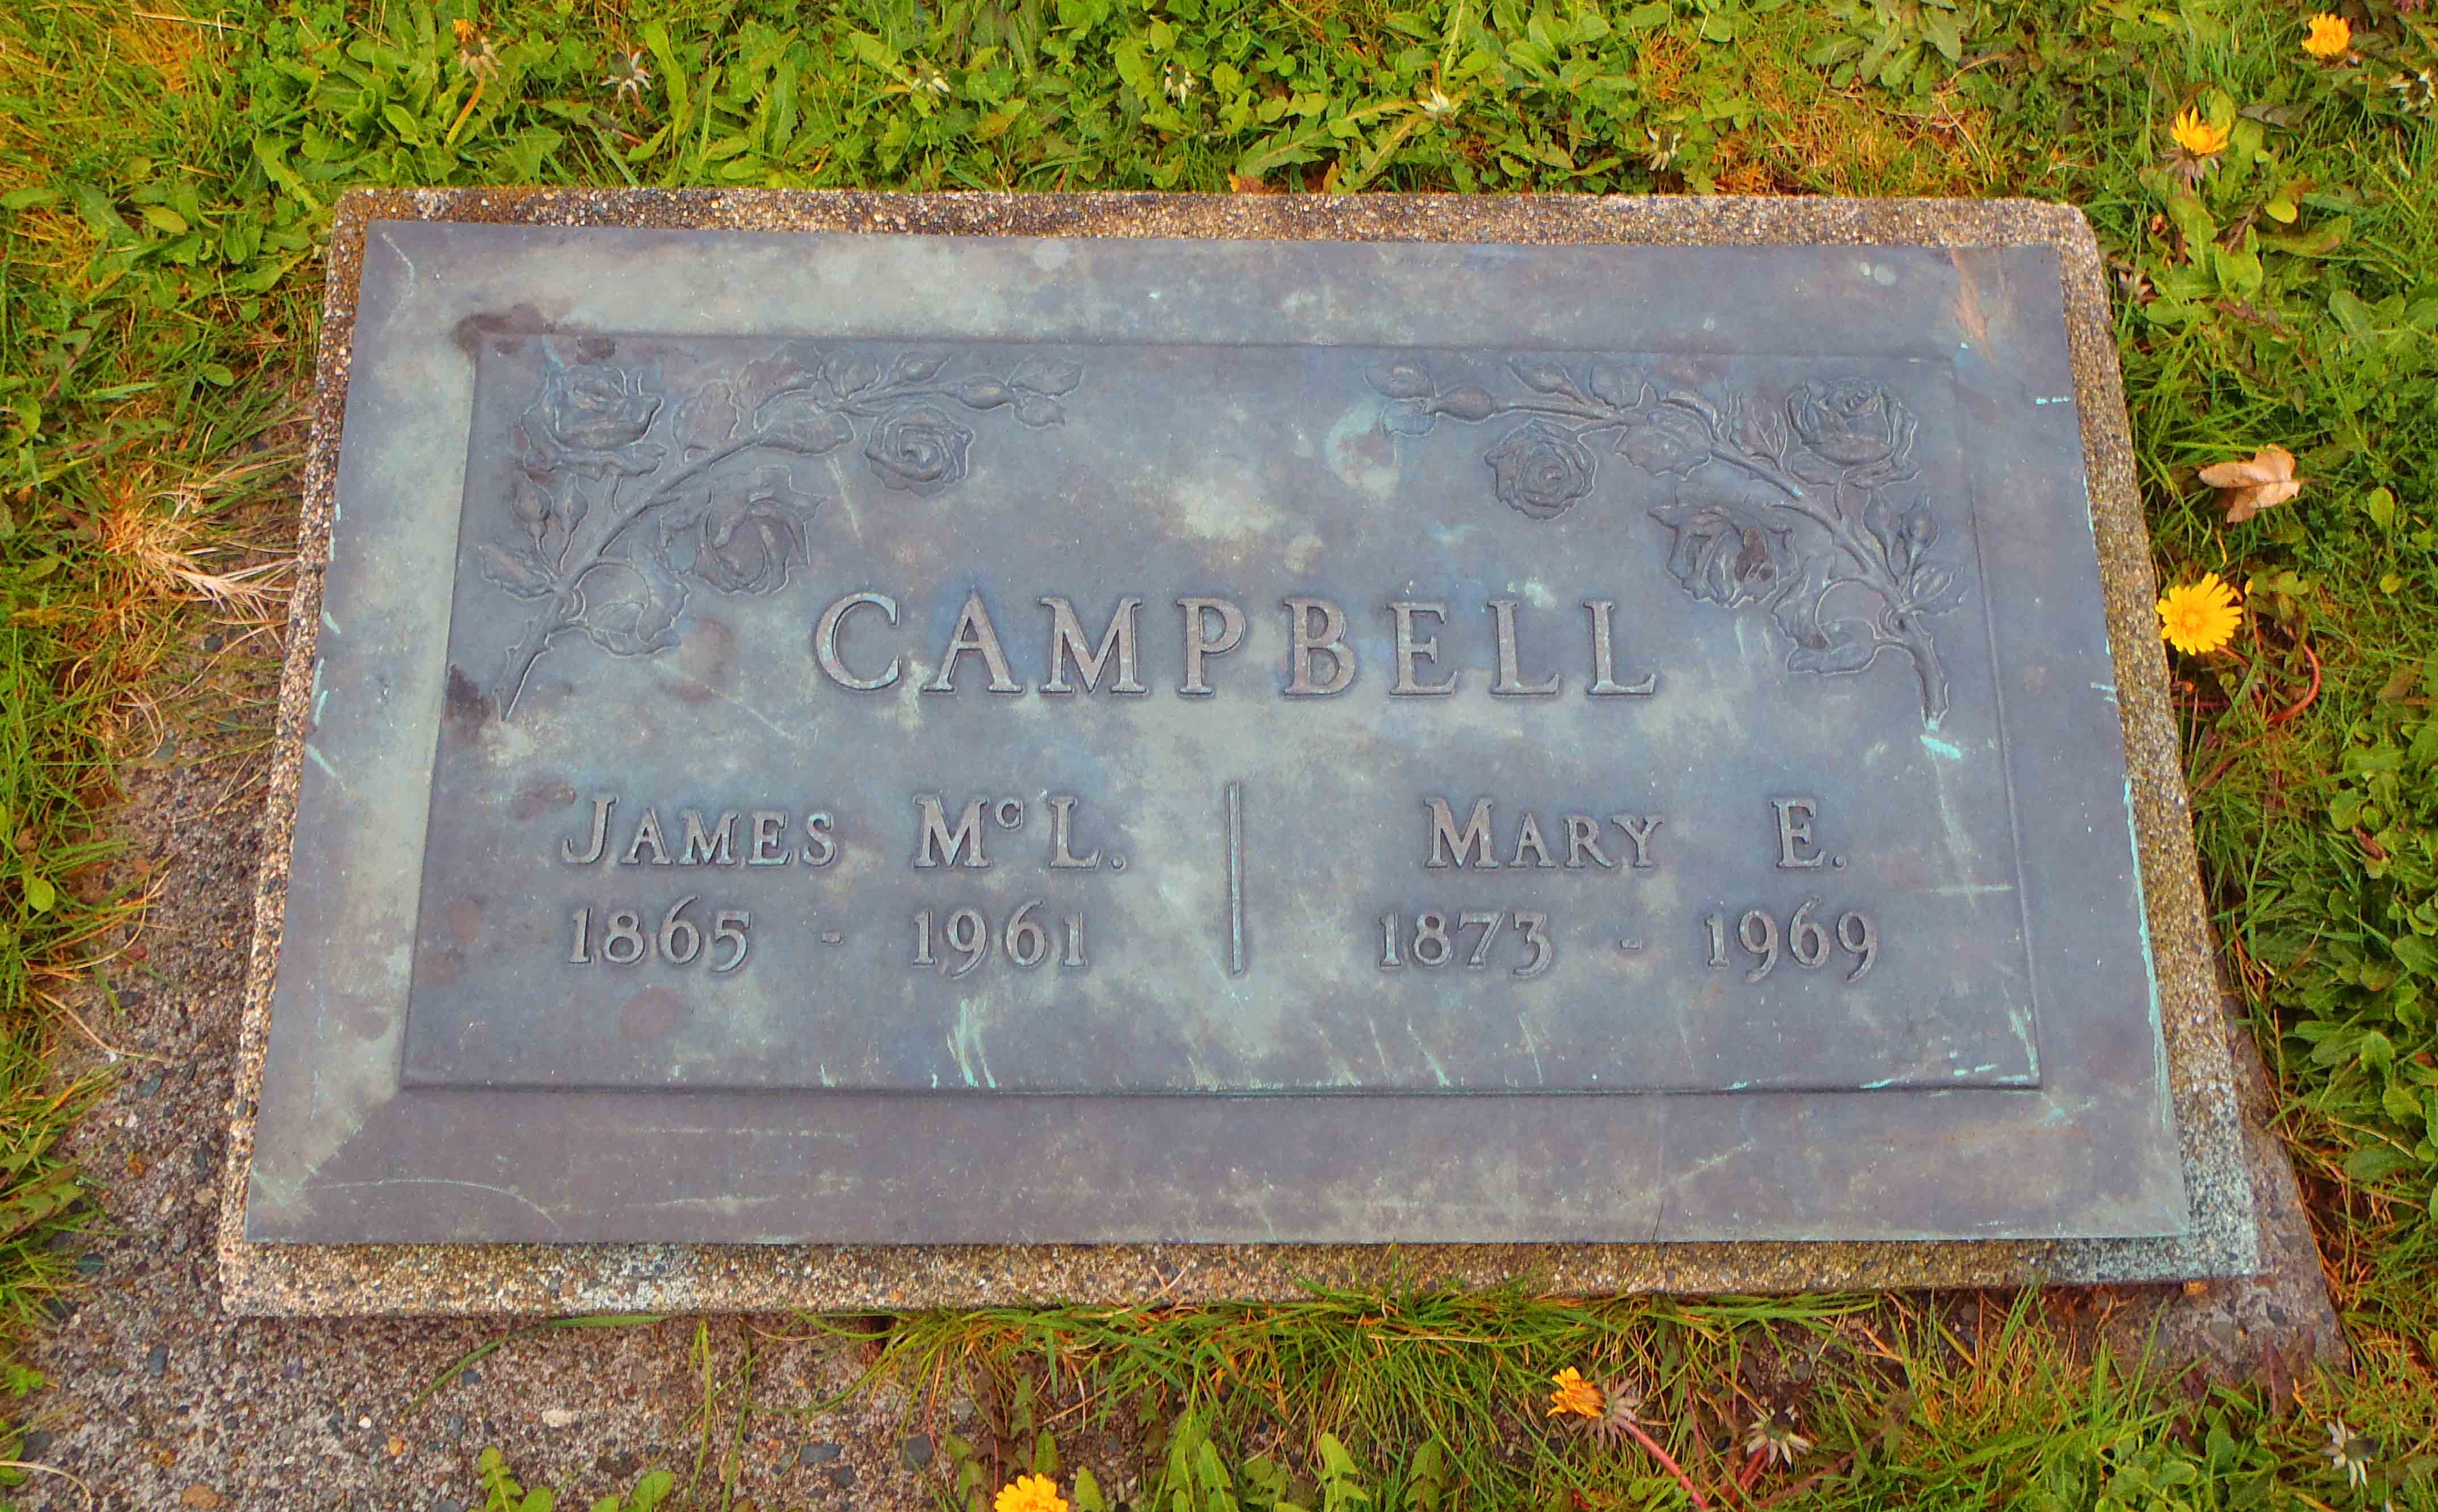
<point>157,1391</point>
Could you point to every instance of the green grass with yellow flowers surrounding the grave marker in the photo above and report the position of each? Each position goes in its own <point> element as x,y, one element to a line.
<point>165,187</point>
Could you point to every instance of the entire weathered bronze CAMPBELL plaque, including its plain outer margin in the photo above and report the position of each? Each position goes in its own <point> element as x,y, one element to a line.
<point>1210,740</point>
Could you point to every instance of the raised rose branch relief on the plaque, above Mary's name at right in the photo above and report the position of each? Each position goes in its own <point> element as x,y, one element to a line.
<point>1771,504</point>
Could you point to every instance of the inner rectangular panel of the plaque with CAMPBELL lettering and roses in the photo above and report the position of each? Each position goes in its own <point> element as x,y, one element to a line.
<point>1215,721</point>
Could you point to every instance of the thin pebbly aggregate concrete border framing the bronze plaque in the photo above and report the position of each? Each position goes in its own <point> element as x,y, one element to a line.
<point>457,1279</point>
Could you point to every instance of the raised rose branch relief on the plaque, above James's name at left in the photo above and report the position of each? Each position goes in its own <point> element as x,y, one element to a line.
<point>603,450</point>
